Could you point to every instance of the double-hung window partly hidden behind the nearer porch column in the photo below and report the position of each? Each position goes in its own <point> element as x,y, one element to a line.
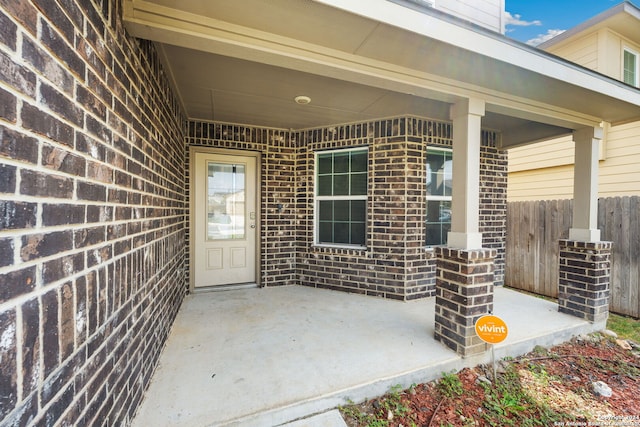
<point>439,180</point>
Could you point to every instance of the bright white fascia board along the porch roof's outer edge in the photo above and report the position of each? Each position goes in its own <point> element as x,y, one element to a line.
<point>485,43</point>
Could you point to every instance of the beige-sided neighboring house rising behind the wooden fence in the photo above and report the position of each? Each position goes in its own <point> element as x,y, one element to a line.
<point>609,44</point>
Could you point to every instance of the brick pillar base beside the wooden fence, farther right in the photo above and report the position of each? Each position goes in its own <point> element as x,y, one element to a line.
<point>585,270</point>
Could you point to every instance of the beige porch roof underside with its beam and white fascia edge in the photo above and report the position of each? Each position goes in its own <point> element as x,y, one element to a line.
<point>245,61</point>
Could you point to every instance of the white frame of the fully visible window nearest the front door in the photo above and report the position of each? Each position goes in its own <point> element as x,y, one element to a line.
<point>318,199</point>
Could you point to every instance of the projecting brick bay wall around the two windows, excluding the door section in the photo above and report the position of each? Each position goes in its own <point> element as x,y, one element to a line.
<point>395,263</point>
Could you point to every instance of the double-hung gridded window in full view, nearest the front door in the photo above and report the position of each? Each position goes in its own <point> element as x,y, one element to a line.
<point>341,197</point>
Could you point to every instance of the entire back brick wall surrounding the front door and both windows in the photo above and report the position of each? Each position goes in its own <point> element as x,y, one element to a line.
<point>396,263</point>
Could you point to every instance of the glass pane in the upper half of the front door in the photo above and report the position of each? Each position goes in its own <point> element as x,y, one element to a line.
<point>225,201</point>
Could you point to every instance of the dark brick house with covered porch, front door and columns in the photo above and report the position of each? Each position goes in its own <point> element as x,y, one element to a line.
<point>361,135</point>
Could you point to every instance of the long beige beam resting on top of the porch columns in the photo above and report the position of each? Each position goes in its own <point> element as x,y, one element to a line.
<point>167,25</point>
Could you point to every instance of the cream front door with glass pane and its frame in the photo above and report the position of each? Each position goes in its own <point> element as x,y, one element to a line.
<point>223,219</point>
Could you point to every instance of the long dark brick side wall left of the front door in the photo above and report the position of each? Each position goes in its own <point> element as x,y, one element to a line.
<point>92,213</point>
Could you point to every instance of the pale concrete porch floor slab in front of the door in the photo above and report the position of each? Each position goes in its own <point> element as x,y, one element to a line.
<point>264,357</point>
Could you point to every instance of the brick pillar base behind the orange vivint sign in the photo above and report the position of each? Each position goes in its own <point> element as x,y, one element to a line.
<point>464,292</point>
